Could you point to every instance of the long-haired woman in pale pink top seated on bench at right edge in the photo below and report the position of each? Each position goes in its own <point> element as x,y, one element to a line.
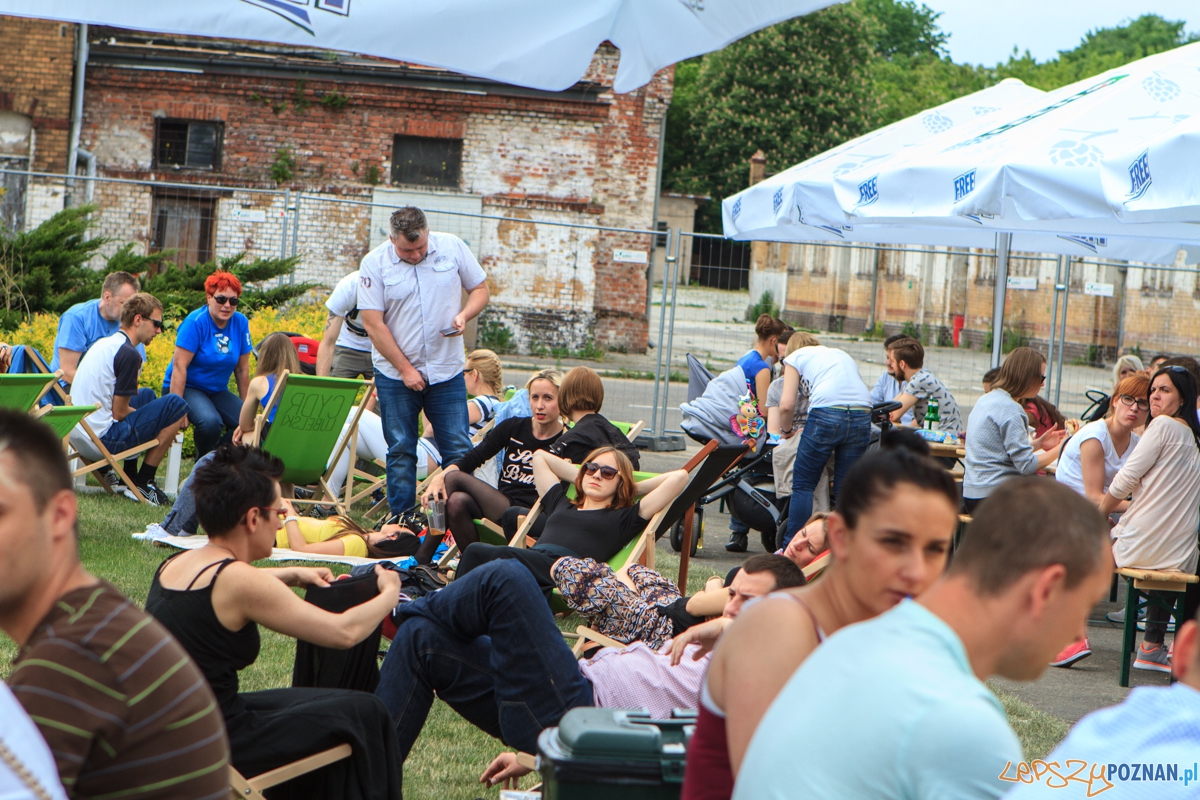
<point>1159,530</point>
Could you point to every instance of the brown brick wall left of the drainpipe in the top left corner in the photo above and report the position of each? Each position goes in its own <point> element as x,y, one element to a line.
<point>37,65</point>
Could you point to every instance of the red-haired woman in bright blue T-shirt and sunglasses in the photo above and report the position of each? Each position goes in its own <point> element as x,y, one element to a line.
<point>212,345</point>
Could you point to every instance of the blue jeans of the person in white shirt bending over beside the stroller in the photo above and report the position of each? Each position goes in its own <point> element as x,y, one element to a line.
<point>827,432</point>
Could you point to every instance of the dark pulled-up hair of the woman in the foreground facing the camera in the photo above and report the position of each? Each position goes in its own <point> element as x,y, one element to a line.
<point>903,458</point>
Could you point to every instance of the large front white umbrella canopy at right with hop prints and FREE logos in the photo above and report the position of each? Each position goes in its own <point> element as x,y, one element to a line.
<point>1039,163</point>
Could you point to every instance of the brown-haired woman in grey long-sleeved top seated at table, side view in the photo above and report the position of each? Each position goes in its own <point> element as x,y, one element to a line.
<point>999,444</point>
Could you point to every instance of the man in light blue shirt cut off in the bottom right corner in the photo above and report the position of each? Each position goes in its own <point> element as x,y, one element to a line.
<point>1145,748</point>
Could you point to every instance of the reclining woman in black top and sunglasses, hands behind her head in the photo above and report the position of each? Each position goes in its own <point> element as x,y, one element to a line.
<point>597,524</point>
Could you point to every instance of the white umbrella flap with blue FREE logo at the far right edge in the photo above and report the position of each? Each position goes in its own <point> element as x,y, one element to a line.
<point>1157,181</point>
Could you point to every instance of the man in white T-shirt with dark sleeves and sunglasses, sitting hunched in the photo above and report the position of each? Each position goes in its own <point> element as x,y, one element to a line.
<point>109,377</point>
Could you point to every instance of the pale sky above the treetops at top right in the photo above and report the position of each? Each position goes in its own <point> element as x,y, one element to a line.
<point>986,32</point>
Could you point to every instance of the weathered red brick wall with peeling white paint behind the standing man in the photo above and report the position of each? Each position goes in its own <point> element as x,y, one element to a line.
<point>529,158</point>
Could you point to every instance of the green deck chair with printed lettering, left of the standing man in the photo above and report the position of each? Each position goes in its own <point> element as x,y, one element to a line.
<point>308,428</point>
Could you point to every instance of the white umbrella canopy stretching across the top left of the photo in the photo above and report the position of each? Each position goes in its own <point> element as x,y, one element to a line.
<point>538,44</point>
